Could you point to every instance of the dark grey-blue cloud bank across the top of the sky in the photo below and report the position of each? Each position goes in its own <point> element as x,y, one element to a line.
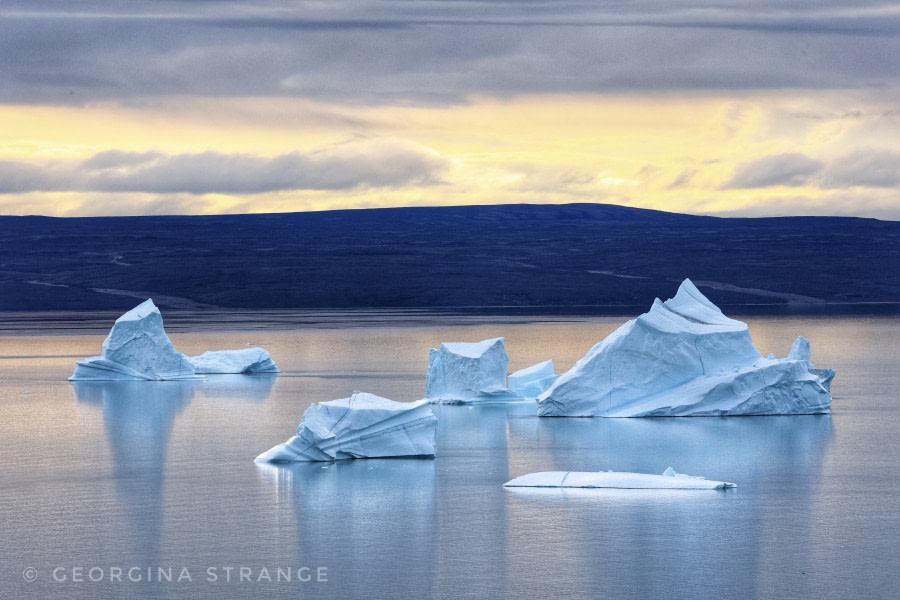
<point>440,52</point>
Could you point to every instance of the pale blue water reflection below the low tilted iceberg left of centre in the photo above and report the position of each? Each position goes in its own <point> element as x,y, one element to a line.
<point>371,522</point>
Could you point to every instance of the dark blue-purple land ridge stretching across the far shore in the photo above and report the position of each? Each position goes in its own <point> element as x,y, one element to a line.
<point>517,255</point>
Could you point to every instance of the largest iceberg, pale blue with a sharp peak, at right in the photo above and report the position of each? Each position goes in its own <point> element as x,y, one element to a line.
<point>686,358</point>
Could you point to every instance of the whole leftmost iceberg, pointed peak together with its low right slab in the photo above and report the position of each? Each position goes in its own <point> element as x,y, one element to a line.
<point>137,347</point>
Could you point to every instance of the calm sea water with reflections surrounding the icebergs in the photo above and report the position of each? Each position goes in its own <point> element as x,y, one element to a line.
<point>97,477</point>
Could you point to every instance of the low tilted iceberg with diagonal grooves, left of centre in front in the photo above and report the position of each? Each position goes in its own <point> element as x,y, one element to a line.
<point>361,426</point>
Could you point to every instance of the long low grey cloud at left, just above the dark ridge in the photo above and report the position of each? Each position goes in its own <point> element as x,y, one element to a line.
<point>380,163</point>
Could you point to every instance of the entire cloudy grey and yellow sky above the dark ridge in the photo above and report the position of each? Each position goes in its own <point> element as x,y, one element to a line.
<point>716,107</point>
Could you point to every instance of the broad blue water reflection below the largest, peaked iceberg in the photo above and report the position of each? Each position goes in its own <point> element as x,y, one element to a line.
<point>678,531</point>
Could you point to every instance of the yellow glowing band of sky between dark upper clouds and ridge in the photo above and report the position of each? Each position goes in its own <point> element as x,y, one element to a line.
<point>678,153</point>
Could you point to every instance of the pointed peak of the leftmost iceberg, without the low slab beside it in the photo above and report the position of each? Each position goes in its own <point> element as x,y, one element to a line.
<point>137,347</point>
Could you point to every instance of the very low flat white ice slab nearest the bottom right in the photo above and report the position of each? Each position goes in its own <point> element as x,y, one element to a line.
<point>669,480</point>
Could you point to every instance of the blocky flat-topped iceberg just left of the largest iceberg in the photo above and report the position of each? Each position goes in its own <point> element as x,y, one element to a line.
<point>463,373</point>
